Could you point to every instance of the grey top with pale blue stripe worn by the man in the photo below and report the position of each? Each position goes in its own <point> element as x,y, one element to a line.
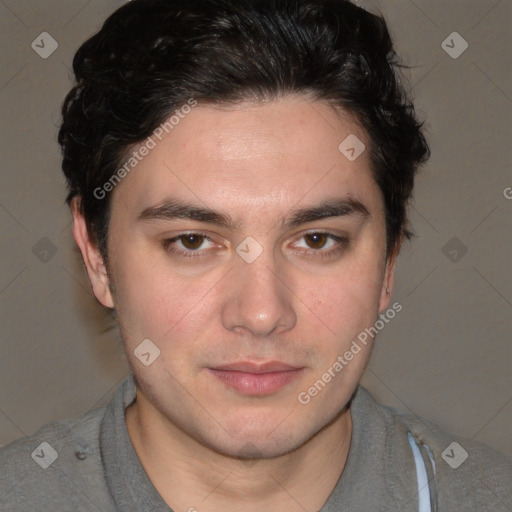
<point>88,463</point>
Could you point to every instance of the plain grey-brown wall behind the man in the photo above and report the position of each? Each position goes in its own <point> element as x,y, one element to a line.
<point>446,356</point>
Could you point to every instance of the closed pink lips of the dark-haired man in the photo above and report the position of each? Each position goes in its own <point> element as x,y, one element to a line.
<point>253,379</point>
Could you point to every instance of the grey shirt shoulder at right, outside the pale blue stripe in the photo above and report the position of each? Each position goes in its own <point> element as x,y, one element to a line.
<point>469,475</point>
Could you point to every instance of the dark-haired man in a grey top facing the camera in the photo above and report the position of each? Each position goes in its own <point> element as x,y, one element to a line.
<point>238,178</point>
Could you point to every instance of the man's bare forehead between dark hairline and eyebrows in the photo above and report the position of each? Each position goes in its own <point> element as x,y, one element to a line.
<point>263,156</point>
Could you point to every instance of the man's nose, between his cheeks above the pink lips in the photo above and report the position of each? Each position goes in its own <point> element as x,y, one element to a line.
<point>258,298</point>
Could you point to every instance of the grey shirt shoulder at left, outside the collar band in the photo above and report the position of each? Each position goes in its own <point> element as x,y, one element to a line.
<point>57,468</point>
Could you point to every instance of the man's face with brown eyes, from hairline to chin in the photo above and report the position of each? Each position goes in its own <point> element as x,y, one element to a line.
<point>251,252</point>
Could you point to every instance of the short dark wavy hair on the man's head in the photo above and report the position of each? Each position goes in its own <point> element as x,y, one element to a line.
<point>151,56</point>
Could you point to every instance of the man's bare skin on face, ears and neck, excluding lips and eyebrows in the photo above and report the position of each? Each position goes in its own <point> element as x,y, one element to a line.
<point>256,163</point>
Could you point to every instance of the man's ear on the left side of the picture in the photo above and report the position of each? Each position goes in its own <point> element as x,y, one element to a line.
<point>91,256</point>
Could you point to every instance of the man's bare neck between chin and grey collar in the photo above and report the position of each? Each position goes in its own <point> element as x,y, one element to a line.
<point>190,476</point>
